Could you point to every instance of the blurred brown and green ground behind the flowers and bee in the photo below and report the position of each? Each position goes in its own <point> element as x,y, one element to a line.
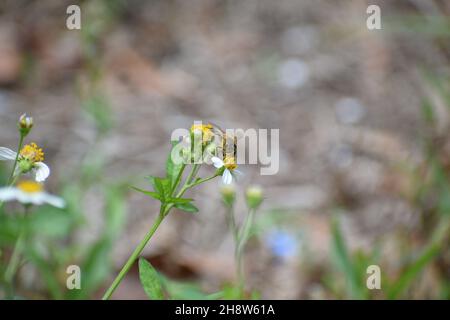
<point>364,148</point>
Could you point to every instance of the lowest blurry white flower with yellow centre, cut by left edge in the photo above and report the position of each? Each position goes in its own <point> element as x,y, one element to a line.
<point>30,192</point>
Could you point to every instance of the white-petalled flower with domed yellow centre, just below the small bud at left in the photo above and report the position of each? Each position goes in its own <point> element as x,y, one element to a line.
<point>30,158</point>
